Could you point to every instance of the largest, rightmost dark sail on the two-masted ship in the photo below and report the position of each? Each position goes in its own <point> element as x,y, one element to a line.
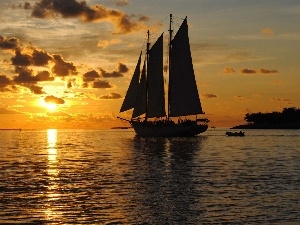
<point>184,98</point>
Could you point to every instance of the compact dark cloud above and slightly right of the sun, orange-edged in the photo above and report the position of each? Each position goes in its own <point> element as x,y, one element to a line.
<point>62,68</point>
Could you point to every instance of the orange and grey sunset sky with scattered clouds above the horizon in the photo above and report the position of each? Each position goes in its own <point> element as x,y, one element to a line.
<point>68,63</point>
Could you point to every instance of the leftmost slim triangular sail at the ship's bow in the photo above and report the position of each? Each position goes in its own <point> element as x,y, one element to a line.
<point>131,94</point>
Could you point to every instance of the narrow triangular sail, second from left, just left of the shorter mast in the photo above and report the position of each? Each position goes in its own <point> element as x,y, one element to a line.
<point>140,100</point>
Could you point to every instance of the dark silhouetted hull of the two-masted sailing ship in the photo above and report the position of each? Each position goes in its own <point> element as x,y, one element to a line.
<point>169,130</point>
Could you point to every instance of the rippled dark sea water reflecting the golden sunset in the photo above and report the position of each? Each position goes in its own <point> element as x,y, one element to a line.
<point>114,177</point>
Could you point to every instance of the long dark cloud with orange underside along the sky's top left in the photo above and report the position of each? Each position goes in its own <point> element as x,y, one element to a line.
<point>75,9</point>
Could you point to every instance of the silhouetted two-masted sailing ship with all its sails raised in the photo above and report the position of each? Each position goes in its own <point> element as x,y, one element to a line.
<point>151,116</point>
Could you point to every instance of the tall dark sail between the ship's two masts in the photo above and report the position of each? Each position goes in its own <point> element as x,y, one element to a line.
<point>156,95</point>
